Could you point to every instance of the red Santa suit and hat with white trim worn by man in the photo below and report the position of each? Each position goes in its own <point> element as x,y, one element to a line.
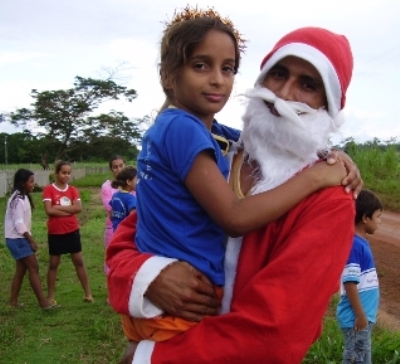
<point>279,279</point>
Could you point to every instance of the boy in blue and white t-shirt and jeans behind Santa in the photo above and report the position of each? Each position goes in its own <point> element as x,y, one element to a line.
<point>358,306</point>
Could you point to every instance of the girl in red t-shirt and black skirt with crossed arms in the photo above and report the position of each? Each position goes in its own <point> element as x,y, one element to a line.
<point>61,204</point>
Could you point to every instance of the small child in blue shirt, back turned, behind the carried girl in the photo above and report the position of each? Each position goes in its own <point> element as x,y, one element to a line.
<point>123,202</point>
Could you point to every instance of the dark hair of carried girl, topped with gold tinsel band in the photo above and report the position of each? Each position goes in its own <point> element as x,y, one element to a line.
<point>184,34</point>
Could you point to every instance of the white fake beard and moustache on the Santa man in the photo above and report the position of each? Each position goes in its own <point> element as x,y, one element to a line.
<point>282,145</point>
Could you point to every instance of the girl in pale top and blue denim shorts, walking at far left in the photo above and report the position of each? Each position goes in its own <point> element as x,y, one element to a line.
<point>17,231</point>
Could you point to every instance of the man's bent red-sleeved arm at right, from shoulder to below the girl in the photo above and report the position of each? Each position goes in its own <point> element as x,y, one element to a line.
<point>281,292</point>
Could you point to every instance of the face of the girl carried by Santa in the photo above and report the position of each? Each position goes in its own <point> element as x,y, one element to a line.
<point>204,84</point>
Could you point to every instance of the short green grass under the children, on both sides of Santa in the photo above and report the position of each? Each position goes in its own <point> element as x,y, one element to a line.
<point>79,332</point>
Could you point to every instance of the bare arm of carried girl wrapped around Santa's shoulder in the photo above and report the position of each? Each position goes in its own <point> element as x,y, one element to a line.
<point>238,216</point>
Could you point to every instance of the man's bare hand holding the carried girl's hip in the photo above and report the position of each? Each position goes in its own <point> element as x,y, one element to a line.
<point>182,291</point>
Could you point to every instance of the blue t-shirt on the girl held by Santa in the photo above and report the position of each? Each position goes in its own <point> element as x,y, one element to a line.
<point>171,222</point>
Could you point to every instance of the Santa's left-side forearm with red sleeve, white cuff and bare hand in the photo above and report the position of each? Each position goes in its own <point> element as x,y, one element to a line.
<point>136,288</point>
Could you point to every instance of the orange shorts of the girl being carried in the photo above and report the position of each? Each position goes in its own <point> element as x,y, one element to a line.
<point>158,329</point>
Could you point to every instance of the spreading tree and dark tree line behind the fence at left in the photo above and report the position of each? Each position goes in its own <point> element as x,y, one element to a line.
<point>63,124</point>
